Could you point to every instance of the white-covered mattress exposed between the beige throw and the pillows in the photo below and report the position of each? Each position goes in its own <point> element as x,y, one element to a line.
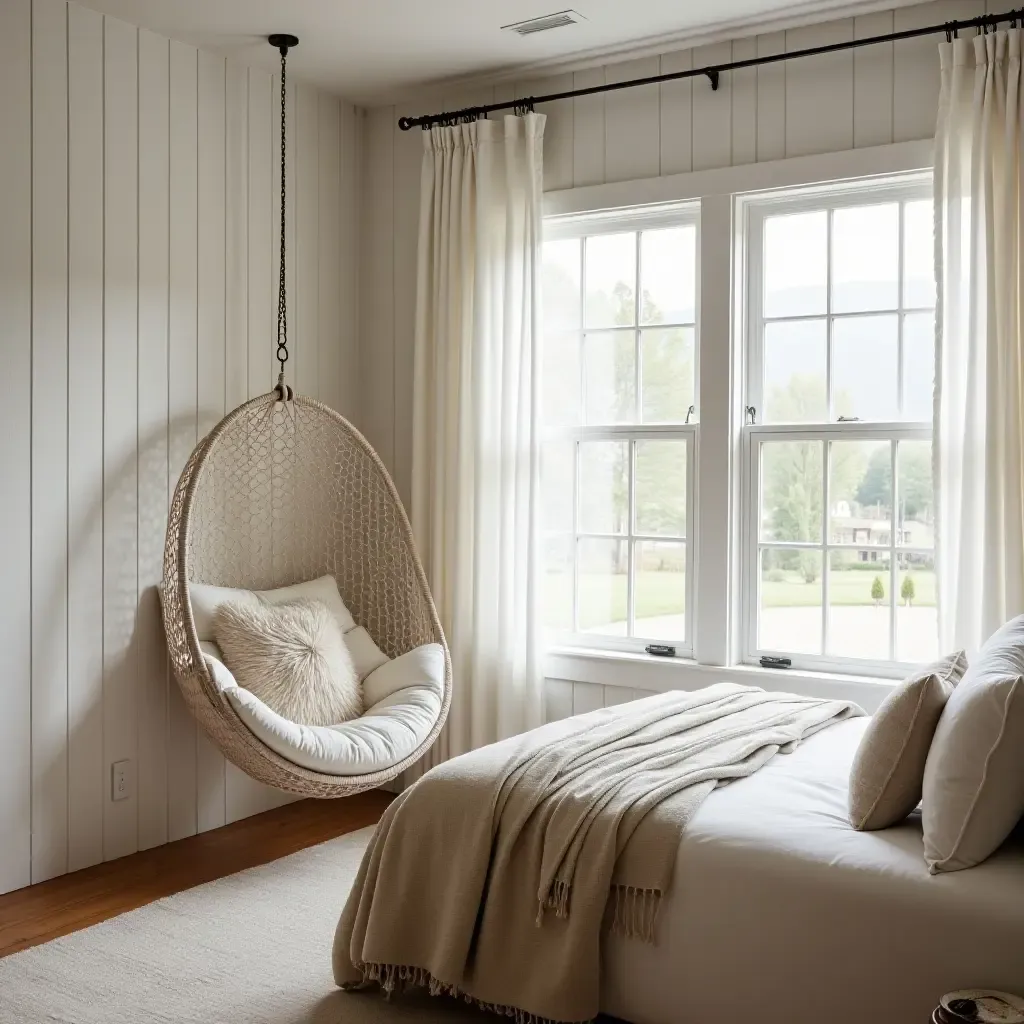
<point>782,914</point>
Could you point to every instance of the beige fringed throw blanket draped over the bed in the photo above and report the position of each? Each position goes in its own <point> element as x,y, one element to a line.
<point>493,876</point>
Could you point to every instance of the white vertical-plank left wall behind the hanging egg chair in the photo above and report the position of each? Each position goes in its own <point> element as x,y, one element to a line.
<point>139,192</point>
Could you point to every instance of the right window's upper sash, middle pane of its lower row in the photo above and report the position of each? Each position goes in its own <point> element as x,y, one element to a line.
<point>865,356</point>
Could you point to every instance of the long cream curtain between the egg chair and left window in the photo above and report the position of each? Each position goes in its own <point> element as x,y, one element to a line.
<point>477,441</point>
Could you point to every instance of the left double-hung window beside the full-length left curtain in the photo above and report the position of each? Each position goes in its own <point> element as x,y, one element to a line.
<point>620,356</point>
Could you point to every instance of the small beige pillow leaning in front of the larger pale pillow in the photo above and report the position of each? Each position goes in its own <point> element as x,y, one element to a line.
<point>889,771</point>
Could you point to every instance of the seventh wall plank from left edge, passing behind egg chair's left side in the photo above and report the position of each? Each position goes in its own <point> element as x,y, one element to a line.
<point>212,352</point>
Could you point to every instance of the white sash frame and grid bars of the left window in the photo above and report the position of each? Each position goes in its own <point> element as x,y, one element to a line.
<point>582,227</point>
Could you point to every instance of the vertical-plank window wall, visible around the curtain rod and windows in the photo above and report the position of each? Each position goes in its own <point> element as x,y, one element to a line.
<point>829,104</point>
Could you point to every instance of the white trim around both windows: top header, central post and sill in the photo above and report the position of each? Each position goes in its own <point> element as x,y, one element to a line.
<point>720,487</point>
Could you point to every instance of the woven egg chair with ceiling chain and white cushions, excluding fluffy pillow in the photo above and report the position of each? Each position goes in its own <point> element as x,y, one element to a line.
<point>285,493</point>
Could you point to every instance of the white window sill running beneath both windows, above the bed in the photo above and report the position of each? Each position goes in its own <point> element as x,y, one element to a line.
<point>647,672</point>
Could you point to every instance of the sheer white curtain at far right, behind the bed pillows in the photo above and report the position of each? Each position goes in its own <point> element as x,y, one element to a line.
<point>979,404</point>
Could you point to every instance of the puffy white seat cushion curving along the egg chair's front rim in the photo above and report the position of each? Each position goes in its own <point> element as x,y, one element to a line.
<point>406,696</point>
